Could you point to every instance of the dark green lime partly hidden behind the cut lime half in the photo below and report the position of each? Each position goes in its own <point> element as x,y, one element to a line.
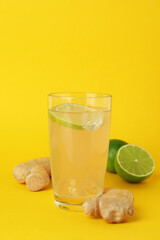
<point>114,145</point>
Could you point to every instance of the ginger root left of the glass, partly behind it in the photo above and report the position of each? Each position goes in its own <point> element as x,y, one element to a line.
<point>34,173</point>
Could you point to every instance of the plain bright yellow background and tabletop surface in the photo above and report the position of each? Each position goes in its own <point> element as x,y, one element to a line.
<point>94,46</point>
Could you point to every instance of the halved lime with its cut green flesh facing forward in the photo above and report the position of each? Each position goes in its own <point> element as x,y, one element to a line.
<point>133,163</point>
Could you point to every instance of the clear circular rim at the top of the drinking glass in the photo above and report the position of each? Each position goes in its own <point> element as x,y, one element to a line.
<point>62,95</point>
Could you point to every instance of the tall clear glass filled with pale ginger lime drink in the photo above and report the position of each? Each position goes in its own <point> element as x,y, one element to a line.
<point>79,125</point>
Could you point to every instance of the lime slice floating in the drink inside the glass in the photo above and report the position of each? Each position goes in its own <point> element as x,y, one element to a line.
<point>77,116</point>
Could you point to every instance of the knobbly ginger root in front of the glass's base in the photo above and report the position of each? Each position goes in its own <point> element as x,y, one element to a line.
<point>114,205</point>
